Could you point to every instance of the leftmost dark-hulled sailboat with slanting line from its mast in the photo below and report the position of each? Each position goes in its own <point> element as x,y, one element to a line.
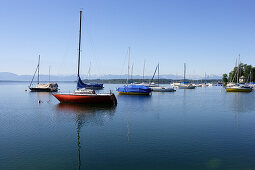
<point>47,87</point>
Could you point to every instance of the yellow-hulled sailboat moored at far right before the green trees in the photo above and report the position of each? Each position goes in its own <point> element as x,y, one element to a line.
<point>238,87</point>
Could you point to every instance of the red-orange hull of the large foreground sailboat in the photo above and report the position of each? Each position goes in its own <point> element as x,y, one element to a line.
<point>86,98</point>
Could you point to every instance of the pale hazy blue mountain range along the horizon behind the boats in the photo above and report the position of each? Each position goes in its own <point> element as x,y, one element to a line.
<point>7,76</point>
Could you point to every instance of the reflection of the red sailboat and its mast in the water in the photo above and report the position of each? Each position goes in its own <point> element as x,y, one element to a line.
<point>86,114</point>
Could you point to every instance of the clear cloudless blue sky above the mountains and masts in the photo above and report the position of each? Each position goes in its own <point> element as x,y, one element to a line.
<point>206,34</point>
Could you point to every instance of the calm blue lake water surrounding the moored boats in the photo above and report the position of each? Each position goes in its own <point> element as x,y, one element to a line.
<point>204,128</point>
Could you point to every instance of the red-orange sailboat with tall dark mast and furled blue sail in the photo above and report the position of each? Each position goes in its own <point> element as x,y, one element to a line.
<point>81,95</point>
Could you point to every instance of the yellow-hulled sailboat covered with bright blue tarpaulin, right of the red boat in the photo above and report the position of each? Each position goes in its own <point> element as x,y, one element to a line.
<point>133,89</point>
